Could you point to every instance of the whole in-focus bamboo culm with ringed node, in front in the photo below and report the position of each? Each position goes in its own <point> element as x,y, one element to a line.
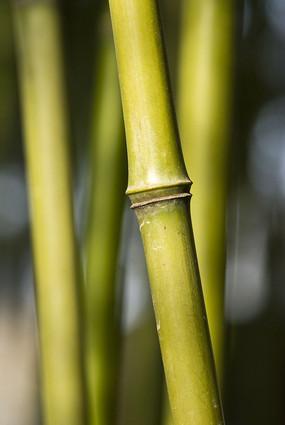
<point>159,191</point>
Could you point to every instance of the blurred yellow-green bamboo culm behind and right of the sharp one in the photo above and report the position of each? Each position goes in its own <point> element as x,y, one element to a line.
<point>204,114</point>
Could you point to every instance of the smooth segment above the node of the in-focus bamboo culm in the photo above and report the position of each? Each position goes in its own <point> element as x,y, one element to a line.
<point>148,113</point>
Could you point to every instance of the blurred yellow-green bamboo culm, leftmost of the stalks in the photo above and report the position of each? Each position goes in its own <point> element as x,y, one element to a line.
<point>50,190</point>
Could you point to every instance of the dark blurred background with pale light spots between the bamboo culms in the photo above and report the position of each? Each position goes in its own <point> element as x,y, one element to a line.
<point>254,390</point>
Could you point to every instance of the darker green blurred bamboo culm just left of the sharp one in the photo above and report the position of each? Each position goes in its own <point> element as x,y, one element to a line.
<point>107,183</point>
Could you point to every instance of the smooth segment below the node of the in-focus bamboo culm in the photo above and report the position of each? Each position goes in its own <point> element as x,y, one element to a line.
<point>180,314</point>
